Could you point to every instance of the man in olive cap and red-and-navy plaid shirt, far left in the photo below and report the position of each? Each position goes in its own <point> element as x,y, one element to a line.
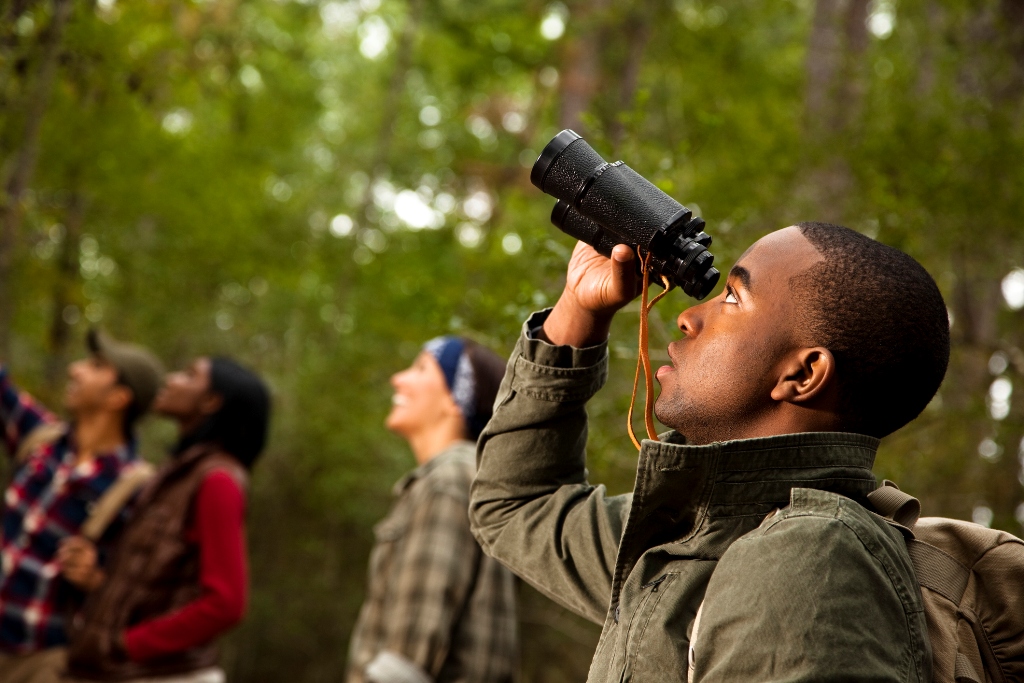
<point>60,471</point>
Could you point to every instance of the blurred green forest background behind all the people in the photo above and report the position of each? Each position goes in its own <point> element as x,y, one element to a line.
<point>317,188</point>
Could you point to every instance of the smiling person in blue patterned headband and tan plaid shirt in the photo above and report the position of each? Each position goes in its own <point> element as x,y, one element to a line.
<point>438,610</point>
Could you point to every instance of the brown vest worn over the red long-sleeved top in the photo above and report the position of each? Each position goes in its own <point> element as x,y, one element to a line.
<point>153,572</point>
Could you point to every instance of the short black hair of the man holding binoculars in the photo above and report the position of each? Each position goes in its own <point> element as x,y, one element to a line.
<point>883,319</point>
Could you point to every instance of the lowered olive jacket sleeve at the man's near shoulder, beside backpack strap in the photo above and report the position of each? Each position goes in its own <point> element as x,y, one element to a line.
<point>820,607</point>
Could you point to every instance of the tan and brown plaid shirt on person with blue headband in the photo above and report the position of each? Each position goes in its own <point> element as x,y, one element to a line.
<point>434,599</point>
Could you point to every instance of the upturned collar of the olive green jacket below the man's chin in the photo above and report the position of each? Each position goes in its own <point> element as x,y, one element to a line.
<point>697,500</point>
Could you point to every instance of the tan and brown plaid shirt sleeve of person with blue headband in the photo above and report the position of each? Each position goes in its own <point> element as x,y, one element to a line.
<point>438,568</point>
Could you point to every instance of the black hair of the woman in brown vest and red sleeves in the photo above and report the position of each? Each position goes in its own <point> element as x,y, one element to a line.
<point>241,424</point>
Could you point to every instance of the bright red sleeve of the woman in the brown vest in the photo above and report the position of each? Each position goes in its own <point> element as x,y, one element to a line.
<point>219,529</point>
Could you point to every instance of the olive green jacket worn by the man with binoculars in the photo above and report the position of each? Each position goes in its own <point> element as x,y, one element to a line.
<point>822,591</point>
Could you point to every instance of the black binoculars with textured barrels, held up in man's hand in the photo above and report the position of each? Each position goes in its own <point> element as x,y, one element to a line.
<point>608,204</point>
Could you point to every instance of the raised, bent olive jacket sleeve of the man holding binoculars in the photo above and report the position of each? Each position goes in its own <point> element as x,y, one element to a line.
<point>532,507</point>
